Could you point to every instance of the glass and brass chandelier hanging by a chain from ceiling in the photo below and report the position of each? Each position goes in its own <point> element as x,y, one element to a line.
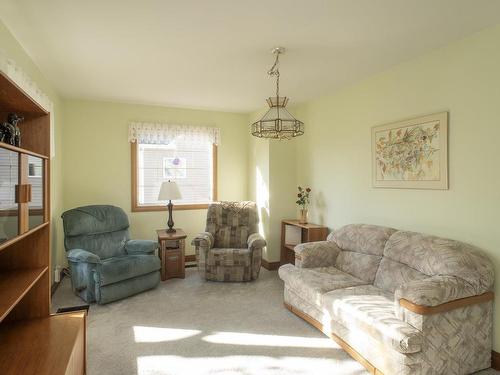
<point>277,123</point>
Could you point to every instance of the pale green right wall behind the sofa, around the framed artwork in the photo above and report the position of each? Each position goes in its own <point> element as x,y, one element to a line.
<point>334,156</point>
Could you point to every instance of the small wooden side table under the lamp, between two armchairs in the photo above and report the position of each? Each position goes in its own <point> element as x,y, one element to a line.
<point>171,253</point>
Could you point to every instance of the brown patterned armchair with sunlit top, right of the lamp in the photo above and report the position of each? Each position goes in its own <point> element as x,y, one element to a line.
<point>230,249</point>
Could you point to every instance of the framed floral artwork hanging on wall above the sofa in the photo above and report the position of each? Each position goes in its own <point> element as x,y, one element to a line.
<point>411,154</point>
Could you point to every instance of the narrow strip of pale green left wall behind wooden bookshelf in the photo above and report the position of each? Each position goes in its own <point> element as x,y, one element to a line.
<point>12,49</point>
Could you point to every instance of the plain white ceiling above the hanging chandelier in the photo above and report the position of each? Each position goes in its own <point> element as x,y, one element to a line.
<point>215,53</point>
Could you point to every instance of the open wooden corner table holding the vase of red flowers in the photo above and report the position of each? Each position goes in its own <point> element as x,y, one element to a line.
<point>304,232</point>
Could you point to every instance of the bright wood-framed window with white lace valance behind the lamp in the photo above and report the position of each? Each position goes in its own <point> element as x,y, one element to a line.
<point>186,155</point>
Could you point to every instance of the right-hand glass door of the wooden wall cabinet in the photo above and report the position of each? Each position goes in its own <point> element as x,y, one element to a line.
<point>36,178</point>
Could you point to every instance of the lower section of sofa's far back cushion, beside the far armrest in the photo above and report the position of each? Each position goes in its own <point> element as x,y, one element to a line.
<point>362,266</point>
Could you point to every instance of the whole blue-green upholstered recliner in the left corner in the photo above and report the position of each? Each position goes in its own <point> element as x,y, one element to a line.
<point>105,264</point>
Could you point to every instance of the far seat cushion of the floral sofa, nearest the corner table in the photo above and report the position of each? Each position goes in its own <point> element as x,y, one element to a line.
<point>311,283</point>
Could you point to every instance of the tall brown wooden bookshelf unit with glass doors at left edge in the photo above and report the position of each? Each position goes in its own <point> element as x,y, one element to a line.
<point>32,341</point>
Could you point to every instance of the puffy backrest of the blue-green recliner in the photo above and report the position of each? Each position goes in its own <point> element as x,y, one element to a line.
<point>100,229</point>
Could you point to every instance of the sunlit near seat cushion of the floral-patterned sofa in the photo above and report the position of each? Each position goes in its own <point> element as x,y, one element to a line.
<point>371,310</point>
